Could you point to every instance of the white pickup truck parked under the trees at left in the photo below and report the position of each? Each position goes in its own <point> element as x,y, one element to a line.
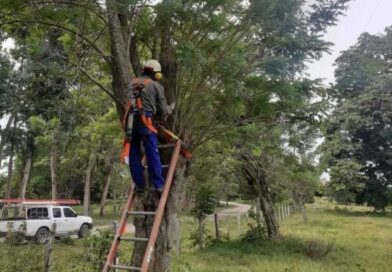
<point>36,221</point>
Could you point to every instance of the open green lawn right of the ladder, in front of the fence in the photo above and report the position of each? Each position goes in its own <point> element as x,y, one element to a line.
<point>363,242</point>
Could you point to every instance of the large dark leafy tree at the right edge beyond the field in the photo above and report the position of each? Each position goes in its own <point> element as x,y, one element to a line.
<point>357,147</point>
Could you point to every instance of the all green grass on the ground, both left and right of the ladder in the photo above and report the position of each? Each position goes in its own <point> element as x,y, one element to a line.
<point>363,242</point>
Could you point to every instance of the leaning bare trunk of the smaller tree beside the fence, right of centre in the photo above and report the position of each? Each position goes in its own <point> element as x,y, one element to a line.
<point>256,171</point>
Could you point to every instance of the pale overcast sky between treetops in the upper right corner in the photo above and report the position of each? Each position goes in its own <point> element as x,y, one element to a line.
<point>362,16</point>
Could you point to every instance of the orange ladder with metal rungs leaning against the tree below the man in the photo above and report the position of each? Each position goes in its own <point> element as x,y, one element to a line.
<point>128,211</point>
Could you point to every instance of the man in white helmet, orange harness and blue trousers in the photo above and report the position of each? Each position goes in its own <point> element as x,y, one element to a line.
<point>147,103</point>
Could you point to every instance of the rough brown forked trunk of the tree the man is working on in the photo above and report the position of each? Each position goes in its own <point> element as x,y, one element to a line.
<point>124,55</point>
